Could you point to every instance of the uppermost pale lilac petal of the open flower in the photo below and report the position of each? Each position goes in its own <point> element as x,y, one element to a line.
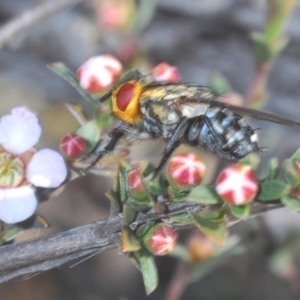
<point>19,131</point>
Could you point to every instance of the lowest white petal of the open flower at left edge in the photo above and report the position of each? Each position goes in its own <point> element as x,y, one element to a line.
<point>17,204</point>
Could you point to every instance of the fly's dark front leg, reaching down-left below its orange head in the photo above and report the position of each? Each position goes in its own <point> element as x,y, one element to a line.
<point>115,134</point>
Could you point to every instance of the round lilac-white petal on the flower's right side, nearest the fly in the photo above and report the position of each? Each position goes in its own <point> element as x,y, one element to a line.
<point>46,169</point>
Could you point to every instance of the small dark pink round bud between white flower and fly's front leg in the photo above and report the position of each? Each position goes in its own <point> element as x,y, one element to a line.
<point>72,145</point>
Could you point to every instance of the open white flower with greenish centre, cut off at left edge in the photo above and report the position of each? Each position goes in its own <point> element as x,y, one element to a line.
<point>21,166</point>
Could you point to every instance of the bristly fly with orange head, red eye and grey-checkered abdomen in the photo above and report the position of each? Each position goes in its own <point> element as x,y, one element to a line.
<point>181,113</point>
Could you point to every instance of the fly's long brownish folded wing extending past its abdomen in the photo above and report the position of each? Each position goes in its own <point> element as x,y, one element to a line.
<point>194,93</point>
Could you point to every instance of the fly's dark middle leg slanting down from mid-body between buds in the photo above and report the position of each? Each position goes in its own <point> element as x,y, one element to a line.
<point>173,143</point>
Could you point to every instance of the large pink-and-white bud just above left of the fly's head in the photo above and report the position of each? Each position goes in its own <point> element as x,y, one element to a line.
<point>98,73</point>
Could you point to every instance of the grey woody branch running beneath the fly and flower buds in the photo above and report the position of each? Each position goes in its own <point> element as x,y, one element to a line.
<point>45,253</point>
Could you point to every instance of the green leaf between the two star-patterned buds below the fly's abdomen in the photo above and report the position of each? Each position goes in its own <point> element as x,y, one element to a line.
<point>203,195</point>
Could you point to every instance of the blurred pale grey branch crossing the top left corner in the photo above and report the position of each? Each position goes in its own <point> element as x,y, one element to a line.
<point>32,17</point>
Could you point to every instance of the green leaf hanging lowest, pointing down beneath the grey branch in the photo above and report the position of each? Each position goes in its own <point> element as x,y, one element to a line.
<point>148,269</point>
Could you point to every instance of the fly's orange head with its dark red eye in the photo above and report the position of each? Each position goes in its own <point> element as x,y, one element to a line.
<point>125,101</point>
